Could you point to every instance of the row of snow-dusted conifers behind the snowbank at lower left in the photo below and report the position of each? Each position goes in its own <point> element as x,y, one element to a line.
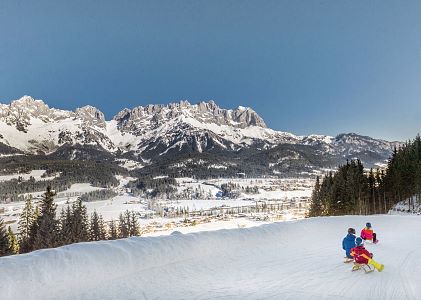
<point>39,227</point>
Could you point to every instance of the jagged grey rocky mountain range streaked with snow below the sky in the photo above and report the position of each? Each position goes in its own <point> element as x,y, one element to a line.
<point>154,132</point>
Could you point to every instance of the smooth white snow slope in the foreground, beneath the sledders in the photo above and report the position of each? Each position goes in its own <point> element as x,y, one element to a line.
<point>290,260</point>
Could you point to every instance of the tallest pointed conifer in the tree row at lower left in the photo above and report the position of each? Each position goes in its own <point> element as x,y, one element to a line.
<point>47,232</point>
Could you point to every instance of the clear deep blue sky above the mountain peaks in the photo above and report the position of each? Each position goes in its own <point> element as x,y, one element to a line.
<point>305,66</point>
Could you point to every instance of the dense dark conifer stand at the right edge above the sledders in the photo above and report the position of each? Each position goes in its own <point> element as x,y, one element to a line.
<point>354,190</point>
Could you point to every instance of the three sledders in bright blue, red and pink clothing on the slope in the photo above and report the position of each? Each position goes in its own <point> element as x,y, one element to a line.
<point>356,253</point>
